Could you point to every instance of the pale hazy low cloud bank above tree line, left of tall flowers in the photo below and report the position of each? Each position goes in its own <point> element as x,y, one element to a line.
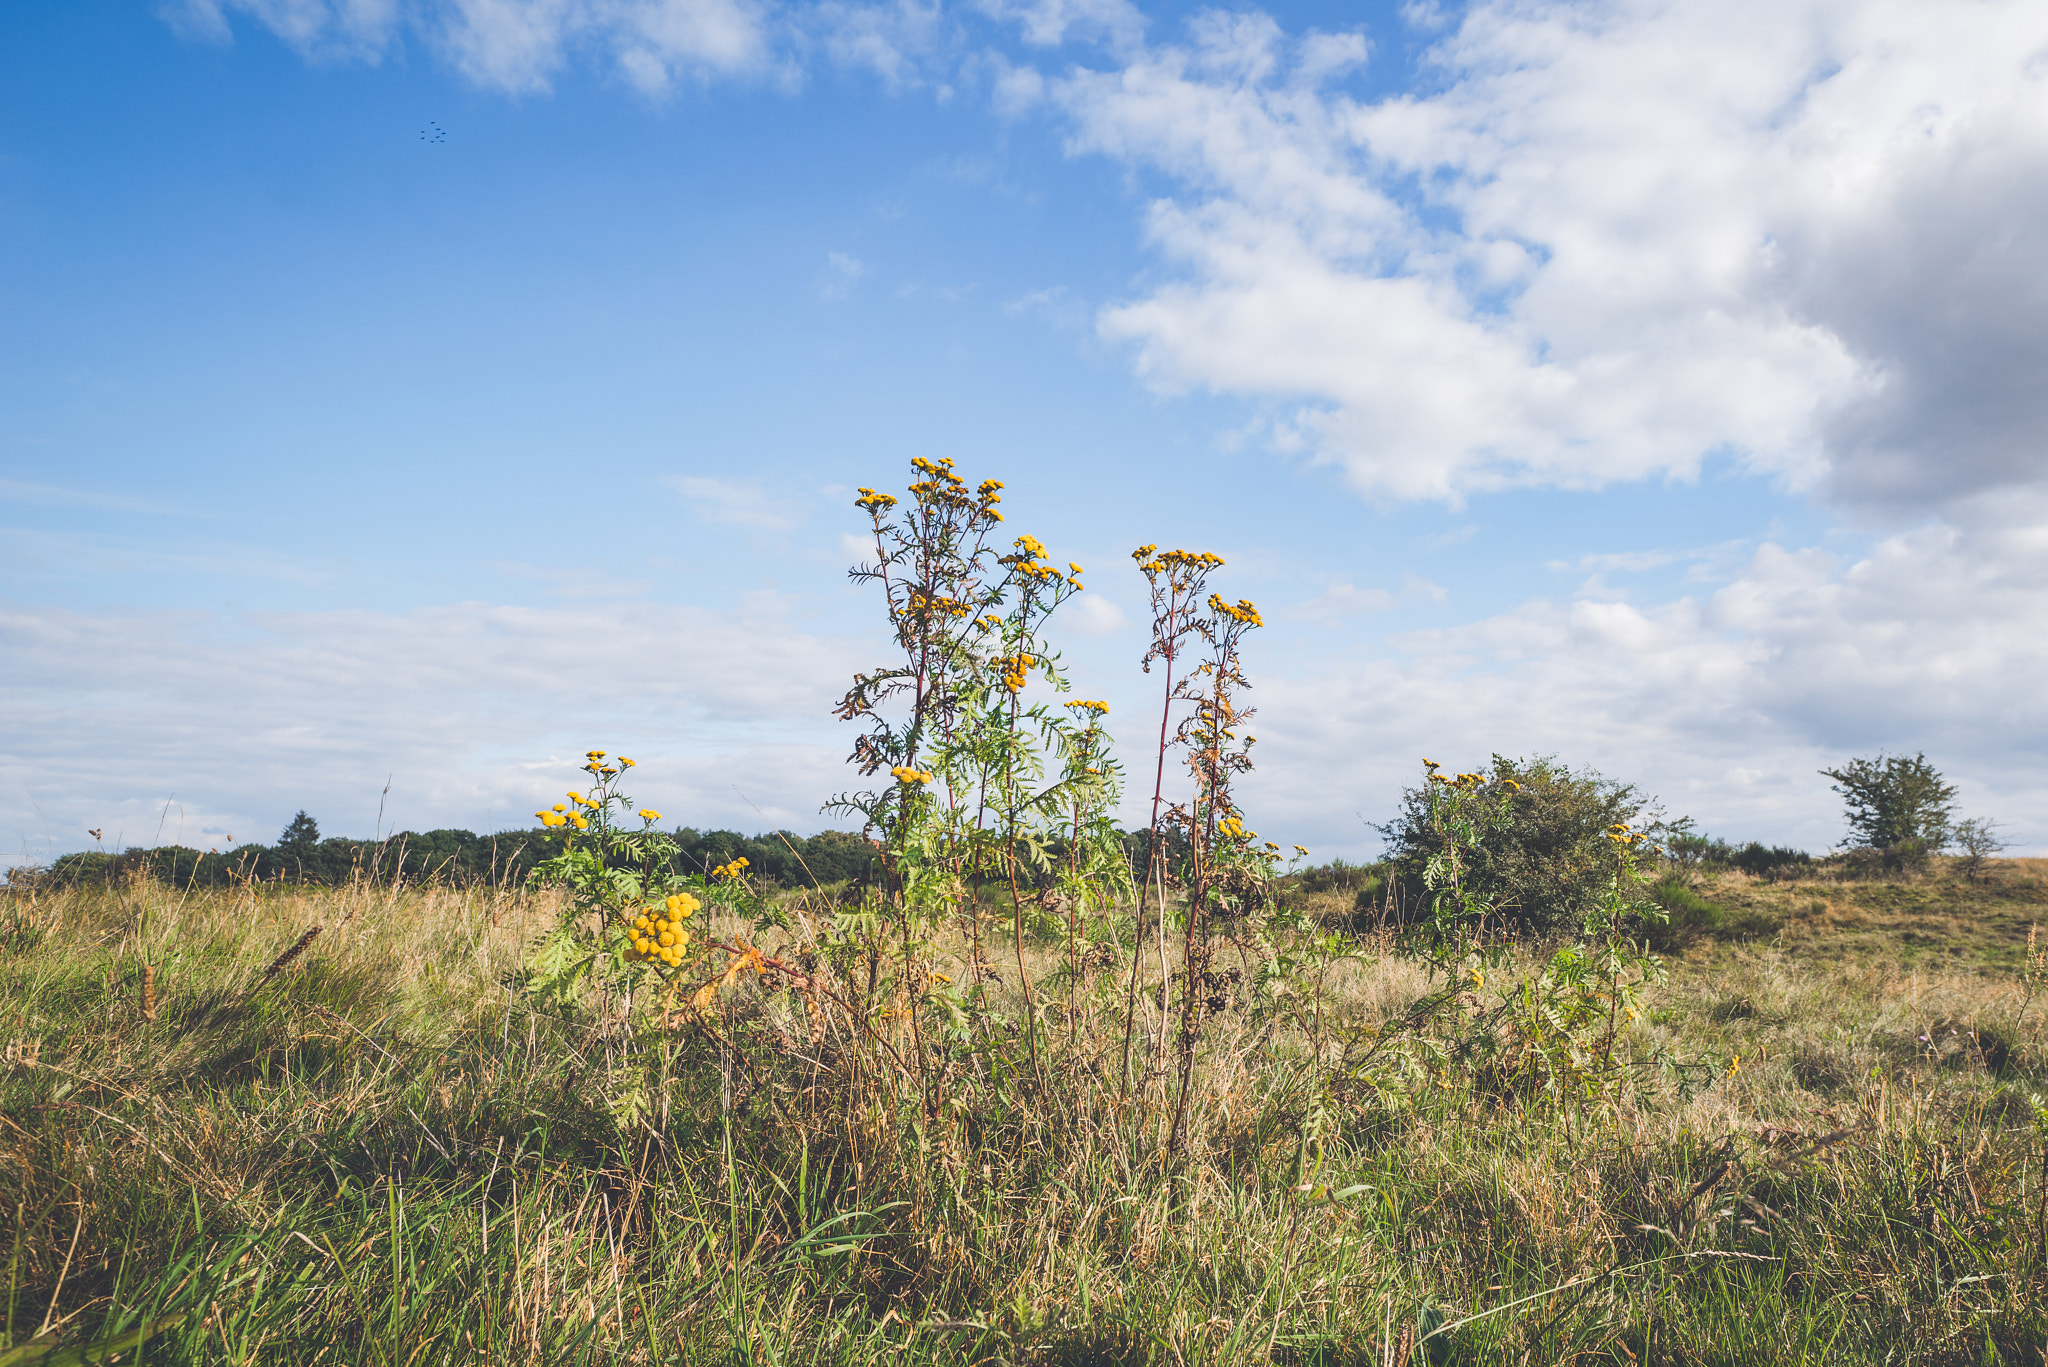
<point>472,712</point>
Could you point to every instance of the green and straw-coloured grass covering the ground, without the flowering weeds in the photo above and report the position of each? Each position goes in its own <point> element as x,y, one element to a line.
<point>384,1155</point>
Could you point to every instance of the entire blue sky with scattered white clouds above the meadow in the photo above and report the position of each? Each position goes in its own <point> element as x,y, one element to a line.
<point>402,397</point>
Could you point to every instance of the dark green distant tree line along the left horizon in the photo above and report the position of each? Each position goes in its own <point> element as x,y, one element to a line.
<point>456,858</point>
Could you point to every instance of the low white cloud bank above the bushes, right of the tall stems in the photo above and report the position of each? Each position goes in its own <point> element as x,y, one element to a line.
<point>1723,704</point>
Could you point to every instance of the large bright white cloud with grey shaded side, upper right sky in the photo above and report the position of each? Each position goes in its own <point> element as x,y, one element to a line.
<point>1615,239</point>
